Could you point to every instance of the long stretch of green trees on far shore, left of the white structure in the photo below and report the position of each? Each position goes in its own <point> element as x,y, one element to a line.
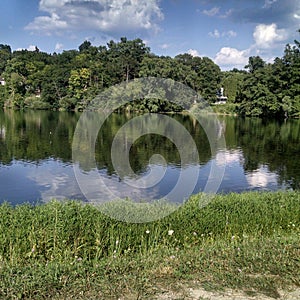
<point>70,80</point>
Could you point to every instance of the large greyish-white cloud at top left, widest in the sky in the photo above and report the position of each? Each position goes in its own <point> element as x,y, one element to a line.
<point>103,15</point>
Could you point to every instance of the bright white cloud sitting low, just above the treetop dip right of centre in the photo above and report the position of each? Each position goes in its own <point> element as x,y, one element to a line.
<point>232,57</point>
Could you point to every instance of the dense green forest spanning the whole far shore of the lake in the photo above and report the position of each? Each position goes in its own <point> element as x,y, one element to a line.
<point>71,79</point>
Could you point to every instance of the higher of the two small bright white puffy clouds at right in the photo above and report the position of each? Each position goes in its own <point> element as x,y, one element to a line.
<point>266,35</point>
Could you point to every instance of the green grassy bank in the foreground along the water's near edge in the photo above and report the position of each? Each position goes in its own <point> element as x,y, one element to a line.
<point>70,250</point>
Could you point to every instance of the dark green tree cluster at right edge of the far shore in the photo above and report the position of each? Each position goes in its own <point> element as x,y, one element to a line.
<point>272,90</point>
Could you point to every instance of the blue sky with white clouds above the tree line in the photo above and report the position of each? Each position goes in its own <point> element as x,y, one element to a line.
<point>227,31</point>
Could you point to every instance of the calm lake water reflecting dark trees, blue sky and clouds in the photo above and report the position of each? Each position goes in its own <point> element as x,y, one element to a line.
<point>36,157</point>
